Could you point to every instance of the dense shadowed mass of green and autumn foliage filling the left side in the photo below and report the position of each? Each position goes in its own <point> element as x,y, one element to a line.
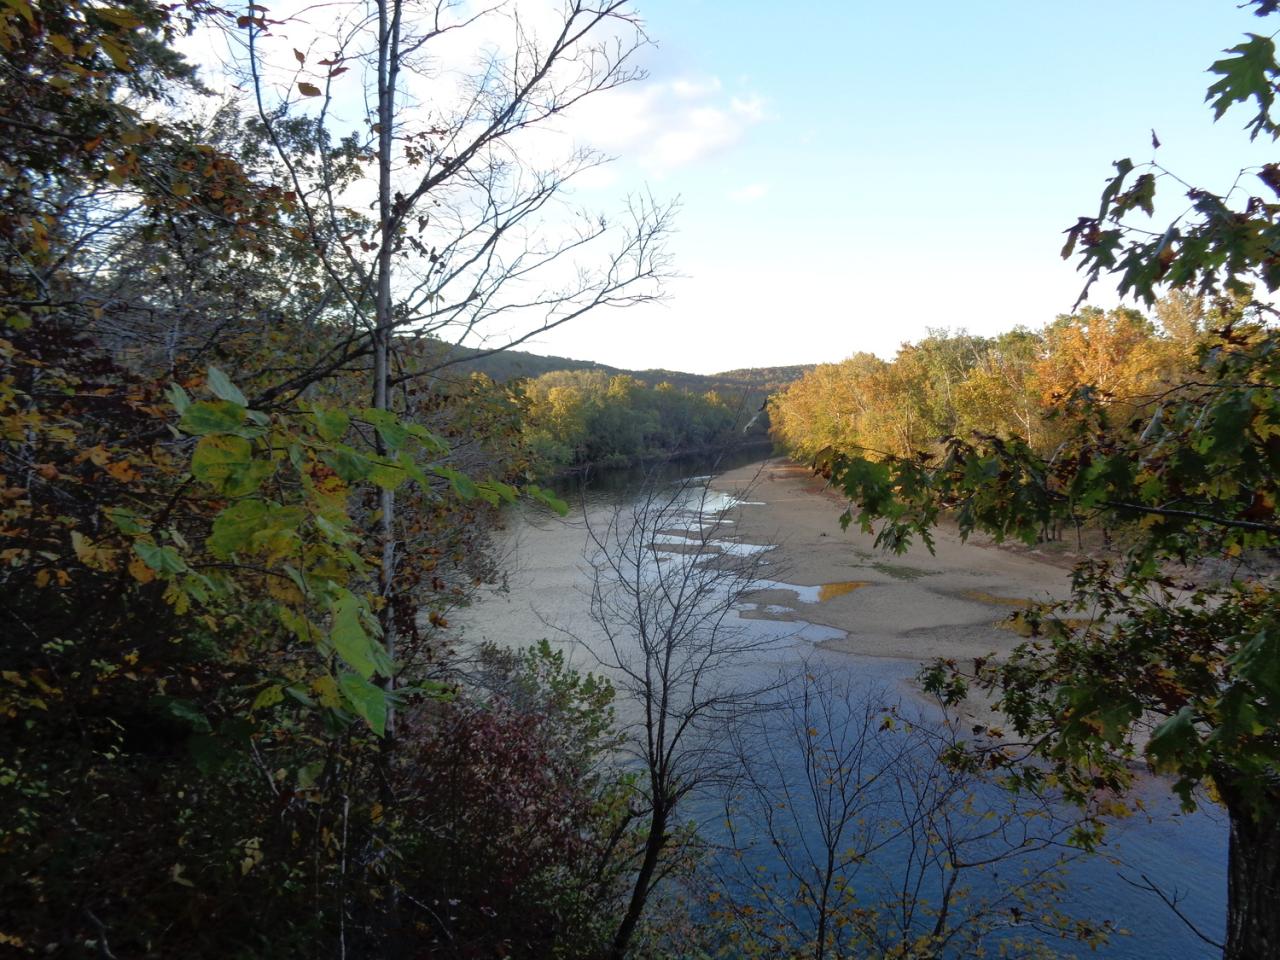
<point>196,692</point>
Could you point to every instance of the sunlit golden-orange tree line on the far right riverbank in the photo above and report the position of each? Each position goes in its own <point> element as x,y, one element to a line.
<point>1016,385</point>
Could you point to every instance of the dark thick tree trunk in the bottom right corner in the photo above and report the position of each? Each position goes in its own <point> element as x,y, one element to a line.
<point>1252,885</point>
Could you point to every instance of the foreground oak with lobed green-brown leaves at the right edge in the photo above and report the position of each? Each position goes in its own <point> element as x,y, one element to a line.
<point>1177,657</point>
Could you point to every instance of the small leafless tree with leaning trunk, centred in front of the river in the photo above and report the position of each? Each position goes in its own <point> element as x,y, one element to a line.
<point>664,597</point>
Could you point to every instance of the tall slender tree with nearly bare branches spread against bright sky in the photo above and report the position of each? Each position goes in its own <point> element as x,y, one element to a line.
<point>460,237</point>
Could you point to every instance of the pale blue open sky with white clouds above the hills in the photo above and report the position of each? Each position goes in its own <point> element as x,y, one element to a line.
<point>851,175</point>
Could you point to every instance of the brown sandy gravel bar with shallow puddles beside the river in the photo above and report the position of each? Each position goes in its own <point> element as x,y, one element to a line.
<point>915,607</point>
